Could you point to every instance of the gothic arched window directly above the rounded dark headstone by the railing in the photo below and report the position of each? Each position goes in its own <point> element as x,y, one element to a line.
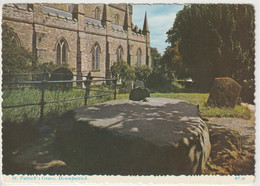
<point>62,51</point>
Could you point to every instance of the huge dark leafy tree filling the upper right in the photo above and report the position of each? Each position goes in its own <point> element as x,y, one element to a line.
<point>216,41</point>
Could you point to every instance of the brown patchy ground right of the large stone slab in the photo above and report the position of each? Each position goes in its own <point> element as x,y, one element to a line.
<point>241,134</point>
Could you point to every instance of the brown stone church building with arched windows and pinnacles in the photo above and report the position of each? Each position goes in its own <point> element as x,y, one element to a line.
<point>87,37</point>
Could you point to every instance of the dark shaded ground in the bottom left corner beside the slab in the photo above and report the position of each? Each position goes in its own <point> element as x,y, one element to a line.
<point>38,157</point>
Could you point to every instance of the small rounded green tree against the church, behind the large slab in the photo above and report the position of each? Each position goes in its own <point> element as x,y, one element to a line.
<point>121,70</point>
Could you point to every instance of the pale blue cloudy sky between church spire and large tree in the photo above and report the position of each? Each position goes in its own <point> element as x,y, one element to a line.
<point>160,19</point>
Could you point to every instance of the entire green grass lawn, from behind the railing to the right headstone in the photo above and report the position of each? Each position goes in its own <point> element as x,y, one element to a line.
<point>57,109</point>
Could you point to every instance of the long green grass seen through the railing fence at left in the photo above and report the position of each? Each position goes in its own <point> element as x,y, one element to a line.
<point>26,96</point>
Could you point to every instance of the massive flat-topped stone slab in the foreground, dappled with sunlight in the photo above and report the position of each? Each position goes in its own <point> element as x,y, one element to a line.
<point>122,137</point>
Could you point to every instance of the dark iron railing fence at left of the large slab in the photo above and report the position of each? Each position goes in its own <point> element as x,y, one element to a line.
<point>44,85</point>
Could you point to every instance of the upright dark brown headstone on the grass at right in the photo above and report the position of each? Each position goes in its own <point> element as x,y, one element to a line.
<point>224,92</point>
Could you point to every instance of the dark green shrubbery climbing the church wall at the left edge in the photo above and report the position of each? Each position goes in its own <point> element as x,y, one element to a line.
<point>16,59</point>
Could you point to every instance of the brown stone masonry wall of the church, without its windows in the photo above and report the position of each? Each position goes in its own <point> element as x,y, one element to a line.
<point>47,26</point>
